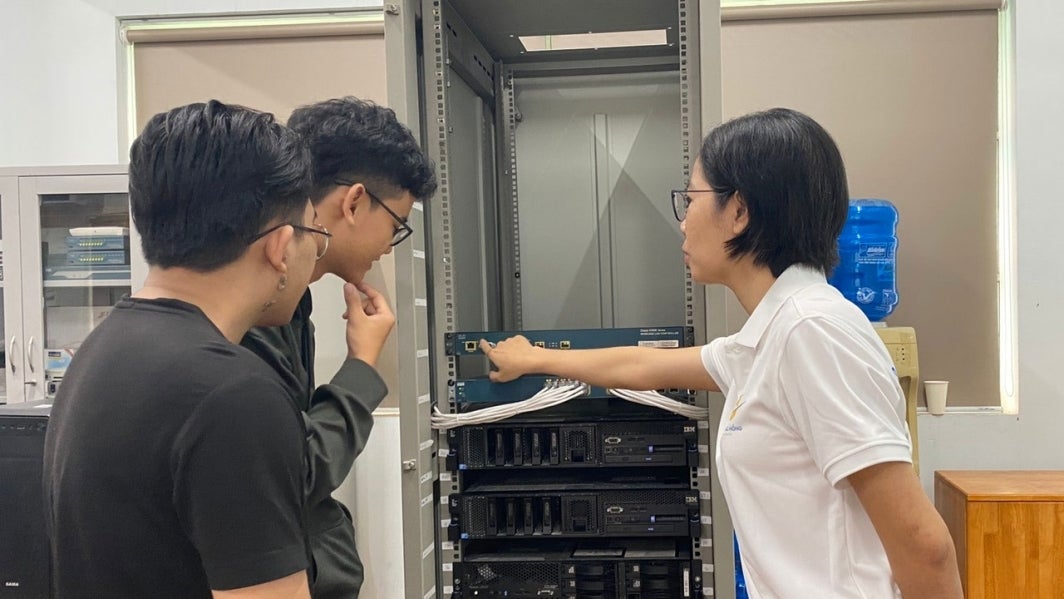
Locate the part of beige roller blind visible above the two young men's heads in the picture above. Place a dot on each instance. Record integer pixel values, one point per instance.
(274, 70)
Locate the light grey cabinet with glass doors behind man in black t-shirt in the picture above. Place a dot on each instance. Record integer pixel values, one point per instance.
(68, 258)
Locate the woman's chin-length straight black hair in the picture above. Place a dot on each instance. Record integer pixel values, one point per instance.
(791, 176)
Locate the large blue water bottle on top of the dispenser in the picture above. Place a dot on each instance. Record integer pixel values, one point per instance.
(867, 258)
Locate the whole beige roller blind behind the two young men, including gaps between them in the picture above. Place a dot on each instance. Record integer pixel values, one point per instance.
(274, 69)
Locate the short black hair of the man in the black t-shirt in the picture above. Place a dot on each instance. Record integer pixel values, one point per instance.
(206, 178)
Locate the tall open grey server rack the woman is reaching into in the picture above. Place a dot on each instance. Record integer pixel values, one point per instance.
(497, 121)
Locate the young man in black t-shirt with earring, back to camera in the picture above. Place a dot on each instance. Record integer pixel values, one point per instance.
(175, 458)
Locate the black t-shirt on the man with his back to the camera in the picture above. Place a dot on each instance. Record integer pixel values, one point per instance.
(173, 462)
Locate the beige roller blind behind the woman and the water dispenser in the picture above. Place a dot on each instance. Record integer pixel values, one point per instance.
(911, 99)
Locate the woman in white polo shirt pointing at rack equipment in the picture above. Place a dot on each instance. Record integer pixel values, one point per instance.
(813, 453)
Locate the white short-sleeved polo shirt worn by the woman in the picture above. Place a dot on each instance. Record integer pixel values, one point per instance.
(812, 397)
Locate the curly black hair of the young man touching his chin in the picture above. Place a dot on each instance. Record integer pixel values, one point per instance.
(353, 140)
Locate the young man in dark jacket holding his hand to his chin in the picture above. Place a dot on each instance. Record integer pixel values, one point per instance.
(369, 172)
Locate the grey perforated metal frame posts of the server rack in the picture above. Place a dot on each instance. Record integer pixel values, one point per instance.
(428, 45)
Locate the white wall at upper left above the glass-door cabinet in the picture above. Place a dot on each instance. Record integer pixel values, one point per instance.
(60, 62)
